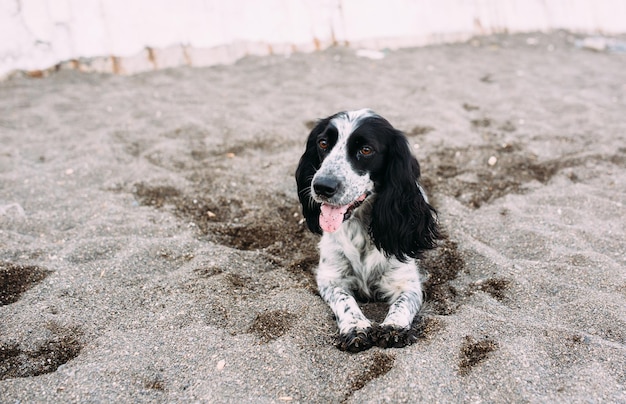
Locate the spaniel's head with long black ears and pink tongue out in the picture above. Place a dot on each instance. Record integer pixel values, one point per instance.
(355, 155)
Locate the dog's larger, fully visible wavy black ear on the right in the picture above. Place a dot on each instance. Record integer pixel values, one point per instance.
(403, 223)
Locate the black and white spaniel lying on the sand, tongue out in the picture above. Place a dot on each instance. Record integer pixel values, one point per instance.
(358, 186)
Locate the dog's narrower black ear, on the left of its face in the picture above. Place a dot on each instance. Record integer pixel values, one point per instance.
(309, 164)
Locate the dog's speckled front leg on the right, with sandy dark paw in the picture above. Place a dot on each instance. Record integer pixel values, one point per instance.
(403, 288)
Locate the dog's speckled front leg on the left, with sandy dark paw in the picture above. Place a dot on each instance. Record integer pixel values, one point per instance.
(354, 328)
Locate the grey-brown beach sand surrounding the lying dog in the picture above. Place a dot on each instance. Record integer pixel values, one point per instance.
(152, 247)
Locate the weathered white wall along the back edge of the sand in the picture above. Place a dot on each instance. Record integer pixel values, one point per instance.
(114, 35)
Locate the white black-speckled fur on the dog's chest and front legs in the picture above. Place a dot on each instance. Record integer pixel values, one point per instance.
(349, 262)
